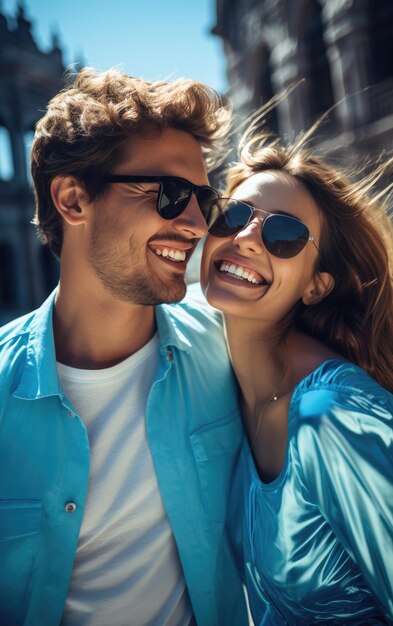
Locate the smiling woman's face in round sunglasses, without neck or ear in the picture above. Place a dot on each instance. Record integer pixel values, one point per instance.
(268, 287)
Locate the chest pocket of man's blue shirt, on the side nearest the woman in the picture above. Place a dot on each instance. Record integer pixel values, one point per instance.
(216, 447)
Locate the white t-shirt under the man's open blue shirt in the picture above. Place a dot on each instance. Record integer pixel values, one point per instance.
(127, 570)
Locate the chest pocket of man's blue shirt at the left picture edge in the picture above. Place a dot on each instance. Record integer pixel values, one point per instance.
(20, 522)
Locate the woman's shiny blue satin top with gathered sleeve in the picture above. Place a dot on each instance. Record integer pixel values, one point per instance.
(316, 544)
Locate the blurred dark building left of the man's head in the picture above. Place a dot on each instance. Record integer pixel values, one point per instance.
(28, 79)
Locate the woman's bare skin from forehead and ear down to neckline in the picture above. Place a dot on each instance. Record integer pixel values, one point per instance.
(269, 355)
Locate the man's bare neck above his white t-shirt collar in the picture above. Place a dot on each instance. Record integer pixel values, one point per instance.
(95, 333)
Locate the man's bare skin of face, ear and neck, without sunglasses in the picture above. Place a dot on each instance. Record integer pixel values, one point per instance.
(111, 275)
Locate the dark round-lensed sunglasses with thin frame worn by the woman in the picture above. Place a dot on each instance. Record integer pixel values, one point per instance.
(283, 236)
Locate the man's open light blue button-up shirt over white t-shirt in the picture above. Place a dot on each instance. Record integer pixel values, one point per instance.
(194, 431)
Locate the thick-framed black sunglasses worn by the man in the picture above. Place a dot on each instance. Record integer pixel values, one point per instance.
(174, 194)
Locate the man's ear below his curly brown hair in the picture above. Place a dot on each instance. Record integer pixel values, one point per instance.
(70, 199)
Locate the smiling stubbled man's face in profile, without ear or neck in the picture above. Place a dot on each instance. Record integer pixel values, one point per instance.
(138, 256)
